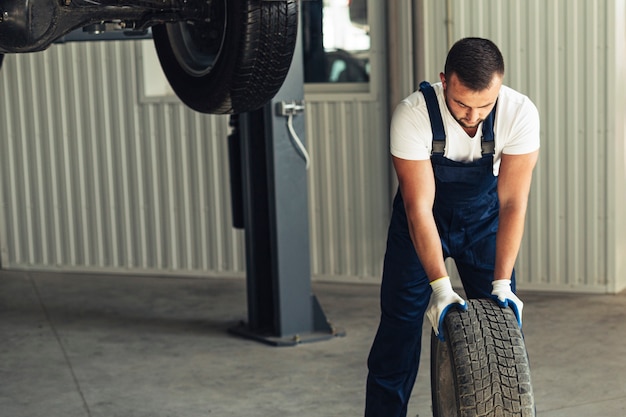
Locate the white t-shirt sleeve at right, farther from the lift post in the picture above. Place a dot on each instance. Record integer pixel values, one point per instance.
(524, 135)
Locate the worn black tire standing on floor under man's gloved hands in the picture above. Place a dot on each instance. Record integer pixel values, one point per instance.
(482, 368)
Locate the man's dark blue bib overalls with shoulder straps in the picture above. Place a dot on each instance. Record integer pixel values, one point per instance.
(466, 214)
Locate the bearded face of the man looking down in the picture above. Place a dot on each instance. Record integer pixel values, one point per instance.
(469, 107)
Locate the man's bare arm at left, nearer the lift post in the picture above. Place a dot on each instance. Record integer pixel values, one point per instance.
(417, 185)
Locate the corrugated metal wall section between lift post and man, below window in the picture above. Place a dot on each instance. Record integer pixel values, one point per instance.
(349, 189)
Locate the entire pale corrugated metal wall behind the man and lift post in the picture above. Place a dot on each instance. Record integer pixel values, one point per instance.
(97, 176)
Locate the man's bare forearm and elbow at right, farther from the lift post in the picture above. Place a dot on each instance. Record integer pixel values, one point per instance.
(513, 188)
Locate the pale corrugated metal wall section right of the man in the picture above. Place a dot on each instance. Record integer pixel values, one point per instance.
(560, 53)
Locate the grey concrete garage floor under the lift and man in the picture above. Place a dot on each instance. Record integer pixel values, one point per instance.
(127, 346)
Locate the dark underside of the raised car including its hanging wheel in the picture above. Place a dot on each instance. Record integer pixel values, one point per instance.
(220, 56)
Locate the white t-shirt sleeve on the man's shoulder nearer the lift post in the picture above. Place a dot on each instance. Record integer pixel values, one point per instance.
(410, 133)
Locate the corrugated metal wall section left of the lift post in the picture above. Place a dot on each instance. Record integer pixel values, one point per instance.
(94, 179)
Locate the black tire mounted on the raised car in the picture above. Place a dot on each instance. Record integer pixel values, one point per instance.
(234, 63)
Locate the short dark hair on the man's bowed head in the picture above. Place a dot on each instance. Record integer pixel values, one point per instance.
(475, 61)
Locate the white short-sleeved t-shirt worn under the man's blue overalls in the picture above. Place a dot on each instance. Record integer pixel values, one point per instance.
(516, 129)
